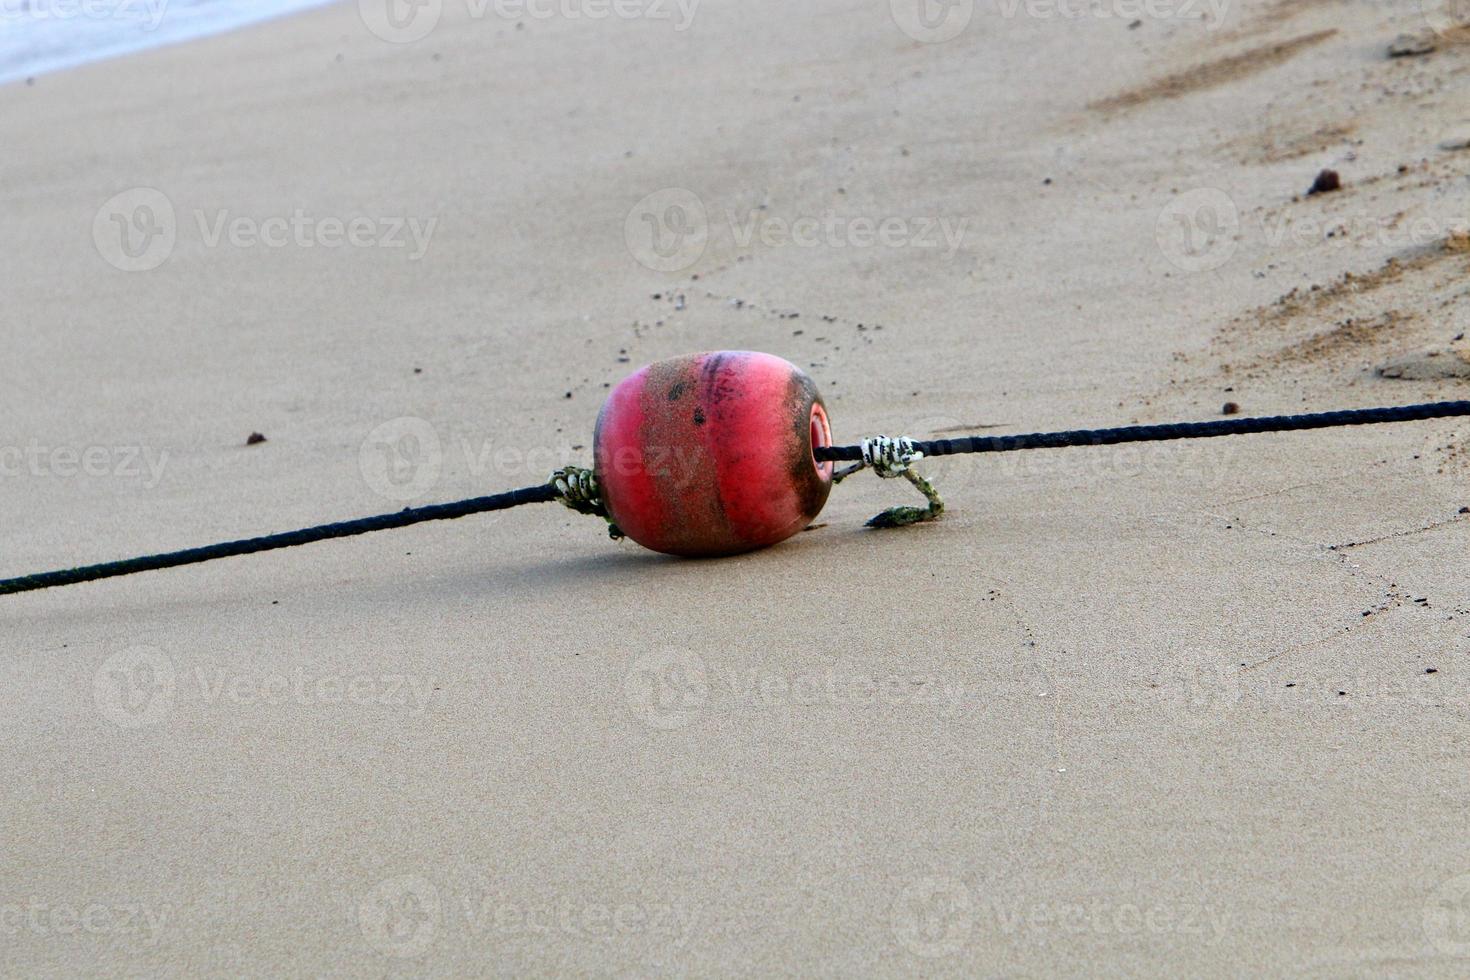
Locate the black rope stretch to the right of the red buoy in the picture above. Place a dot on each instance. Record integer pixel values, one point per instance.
(1165, 433)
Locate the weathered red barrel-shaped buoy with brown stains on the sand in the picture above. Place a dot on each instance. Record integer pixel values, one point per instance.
(711, 455)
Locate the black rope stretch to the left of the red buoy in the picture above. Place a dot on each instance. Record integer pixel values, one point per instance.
(287, 540)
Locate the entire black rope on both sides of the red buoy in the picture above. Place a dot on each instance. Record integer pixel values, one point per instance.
(548, 493)
